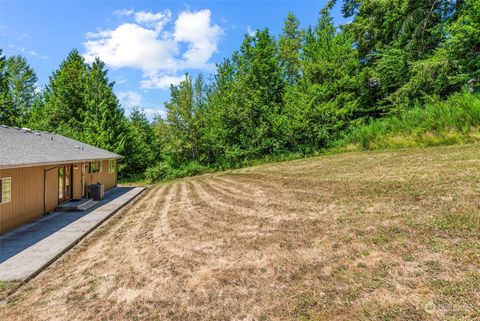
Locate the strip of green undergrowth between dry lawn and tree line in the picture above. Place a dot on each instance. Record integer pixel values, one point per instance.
(453, 121)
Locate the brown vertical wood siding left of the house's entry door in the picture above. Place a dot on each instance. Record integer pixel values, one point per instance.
(27, 201)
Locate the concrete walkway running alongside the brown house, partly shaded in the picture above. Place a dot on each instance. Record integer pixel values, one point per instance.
(26, 251)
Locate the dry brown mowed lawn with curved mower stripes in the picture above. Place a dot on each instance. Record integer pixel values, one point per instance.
(390, 235)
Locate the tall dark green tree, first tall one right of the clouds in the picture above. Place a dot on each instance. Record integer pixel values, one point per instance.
(257, 97)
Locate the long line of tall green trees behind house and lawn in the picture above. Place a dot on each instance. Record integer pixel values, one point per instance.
(299, 92)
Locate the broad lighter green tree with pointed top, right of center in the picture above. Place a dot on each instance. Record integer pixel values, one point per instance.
(326, 99)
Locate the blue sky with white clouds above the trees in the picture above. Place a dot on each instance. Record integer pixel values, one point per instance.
(146, 45)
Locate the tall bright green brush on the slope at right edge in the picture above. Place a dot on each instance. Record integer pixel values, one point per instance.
(438, 122)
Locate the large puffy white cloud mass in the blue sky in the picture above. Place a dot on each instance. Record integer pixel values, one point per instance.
(147, 44)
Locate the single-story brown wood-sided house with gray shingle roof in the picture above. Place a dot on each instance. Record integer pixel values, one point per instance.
(40, 170)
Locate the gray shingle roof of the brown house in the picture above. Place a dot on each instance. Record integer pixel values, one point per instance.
(20, 148)
